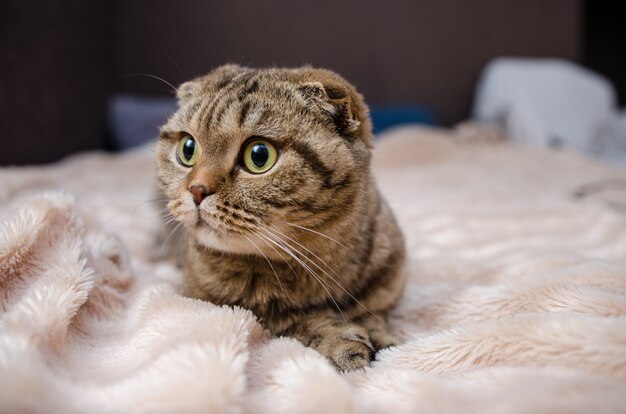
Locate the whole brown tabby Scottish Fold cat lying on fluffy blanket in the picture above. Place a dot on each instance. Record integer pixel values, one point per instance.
(269, 172)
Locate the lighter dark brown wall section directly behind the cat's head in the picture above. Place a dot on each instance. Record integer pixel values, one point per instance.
(428, 52)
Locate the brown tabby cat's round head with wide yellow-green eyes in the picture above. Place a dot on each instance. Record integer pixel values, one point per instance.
(255, 156)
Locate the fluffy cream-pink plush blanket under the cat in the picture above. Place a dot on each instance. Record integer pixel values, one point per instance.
(515, 302)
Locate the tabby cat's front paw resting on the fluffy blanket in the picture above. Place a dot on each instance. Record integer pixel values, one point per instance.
(349, 350)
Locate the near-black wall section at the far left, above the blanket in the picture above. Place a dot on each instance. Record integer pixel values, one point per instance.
(56, 73)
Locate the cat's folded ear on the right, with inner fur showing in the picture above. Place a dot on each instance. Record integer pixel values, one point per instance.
(332, 94)
